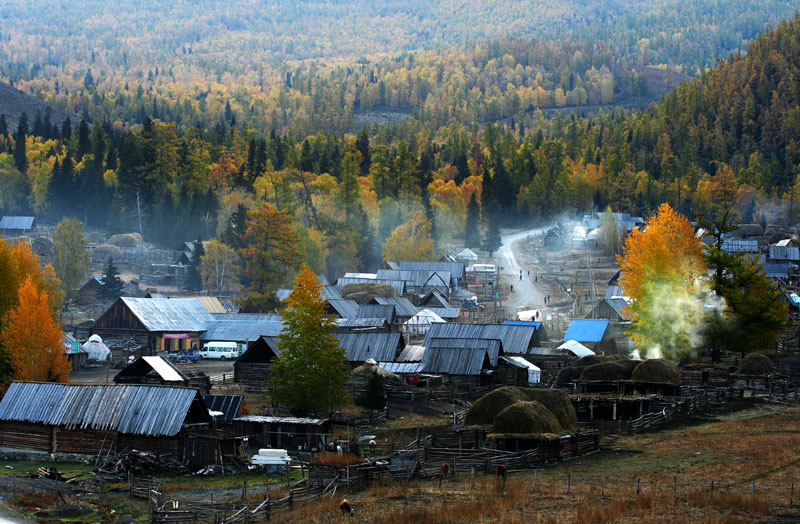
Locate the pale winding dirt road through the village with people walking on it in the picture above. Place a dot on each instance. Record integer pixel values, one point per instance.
(525, 294)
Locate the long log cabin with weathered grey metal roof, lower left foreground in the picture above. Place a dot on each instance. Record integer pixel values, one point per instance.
(88, 419)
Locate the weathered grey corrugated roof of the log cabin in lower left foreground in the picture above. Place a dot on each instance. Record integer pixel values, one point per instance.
(137, 409)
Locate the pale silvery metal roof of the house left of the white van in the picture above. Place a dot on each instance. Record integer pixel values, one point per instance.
(164, 314)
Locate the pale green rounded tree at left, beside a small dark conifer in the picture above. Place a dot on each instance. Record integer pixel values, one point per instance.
(73, 259)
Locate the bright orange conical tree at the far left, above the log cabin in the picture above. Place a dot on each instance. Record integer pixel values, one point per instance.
(33, 339)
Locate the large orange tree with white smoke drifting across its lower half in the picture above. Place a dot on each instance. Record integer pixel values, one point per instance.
(662, 268)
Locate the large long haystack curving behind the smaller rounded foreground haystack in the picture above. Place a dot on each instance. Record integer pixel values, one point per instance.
(486, 409)
